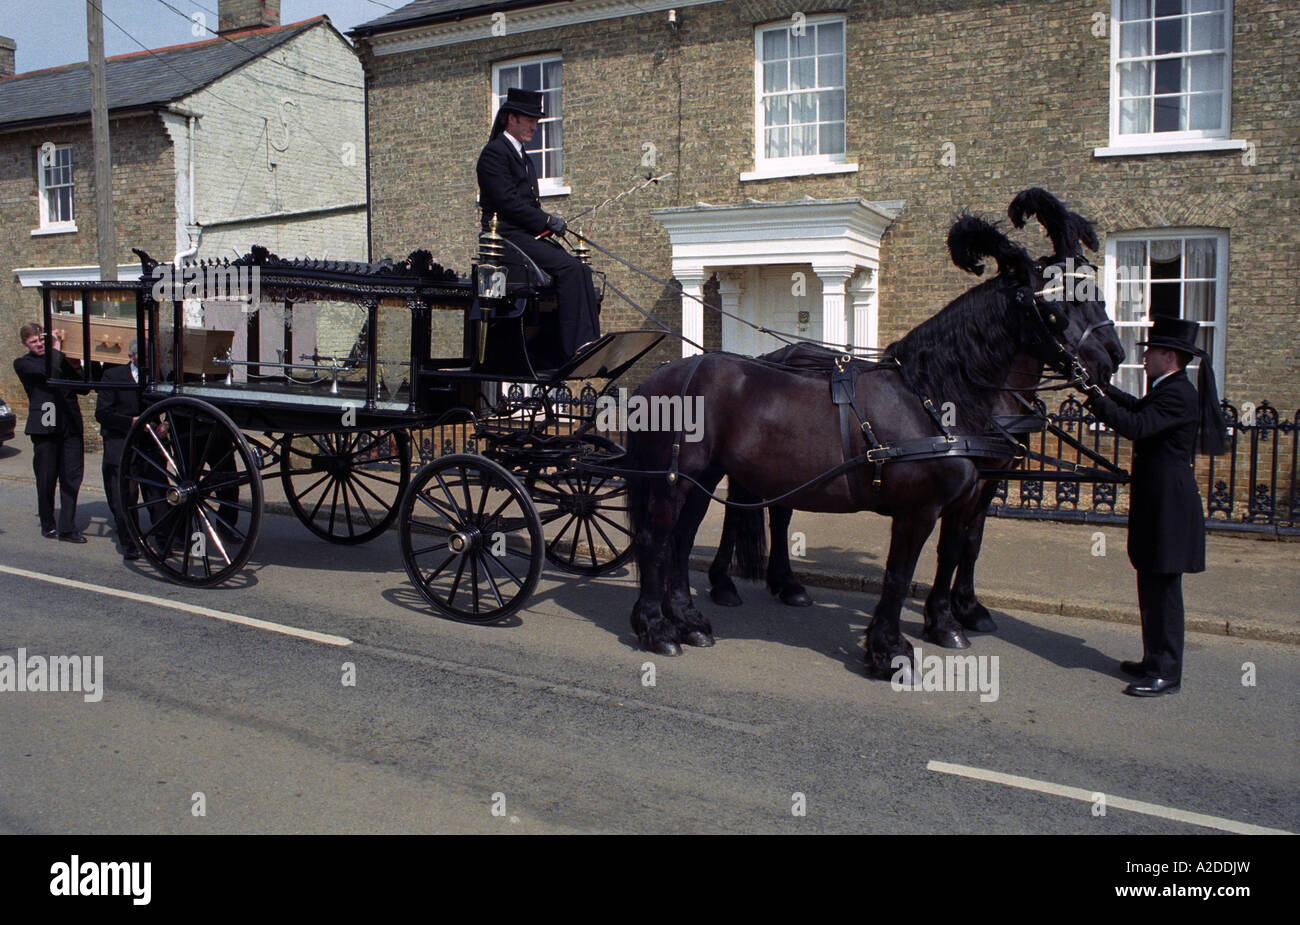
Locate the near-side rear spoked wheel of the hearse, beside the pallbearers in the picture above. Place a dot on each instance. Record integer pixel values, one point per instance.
(192, 492)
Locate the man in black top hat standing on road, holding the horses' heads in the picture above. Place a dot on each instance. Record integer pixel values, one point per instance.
(1167, 522)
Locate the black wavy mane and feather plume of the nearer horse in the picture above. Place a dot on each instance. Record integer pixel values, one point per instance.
(972, 341)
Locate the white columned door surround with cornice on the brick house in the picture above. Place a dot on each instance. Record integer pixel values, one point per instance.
(838, 238)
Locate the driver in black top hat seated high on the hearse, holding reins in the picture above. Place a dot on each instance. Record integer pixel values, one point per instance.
(508, 188)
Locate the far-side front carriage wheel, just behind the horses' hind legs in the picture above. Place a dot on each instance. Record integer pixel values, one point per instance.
(584, 515)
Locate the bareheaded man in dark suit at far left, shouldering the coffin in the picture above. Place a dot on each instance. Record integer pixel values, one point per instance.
(55, 427)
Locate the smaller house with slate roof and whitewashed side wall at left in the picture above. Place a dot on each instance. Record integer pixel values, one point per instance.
(255, 136)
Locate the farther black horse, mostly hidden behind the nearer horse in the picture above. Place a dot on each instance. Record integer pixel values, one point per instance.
(743, 531)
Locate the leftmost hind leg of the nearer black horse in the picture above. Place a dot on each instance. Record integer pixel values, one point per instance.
(655, 515)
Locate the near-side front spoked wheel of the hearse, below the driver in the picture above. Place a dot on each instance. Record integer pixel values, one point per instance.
(471, 539)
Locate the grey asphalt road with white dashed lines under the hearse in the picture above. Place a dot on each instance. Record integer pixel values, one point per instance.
(545, 724)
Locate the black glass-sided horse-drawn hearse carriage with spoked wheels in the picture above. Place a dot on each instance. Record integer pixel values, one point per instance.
(320, 371)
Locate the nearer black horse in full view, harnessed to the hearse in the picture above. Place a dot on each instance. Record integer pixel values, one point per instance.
(998, 332)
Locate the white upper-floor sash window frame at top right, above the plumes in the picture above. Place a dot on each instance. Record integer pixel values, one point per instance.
(1169, 142)
